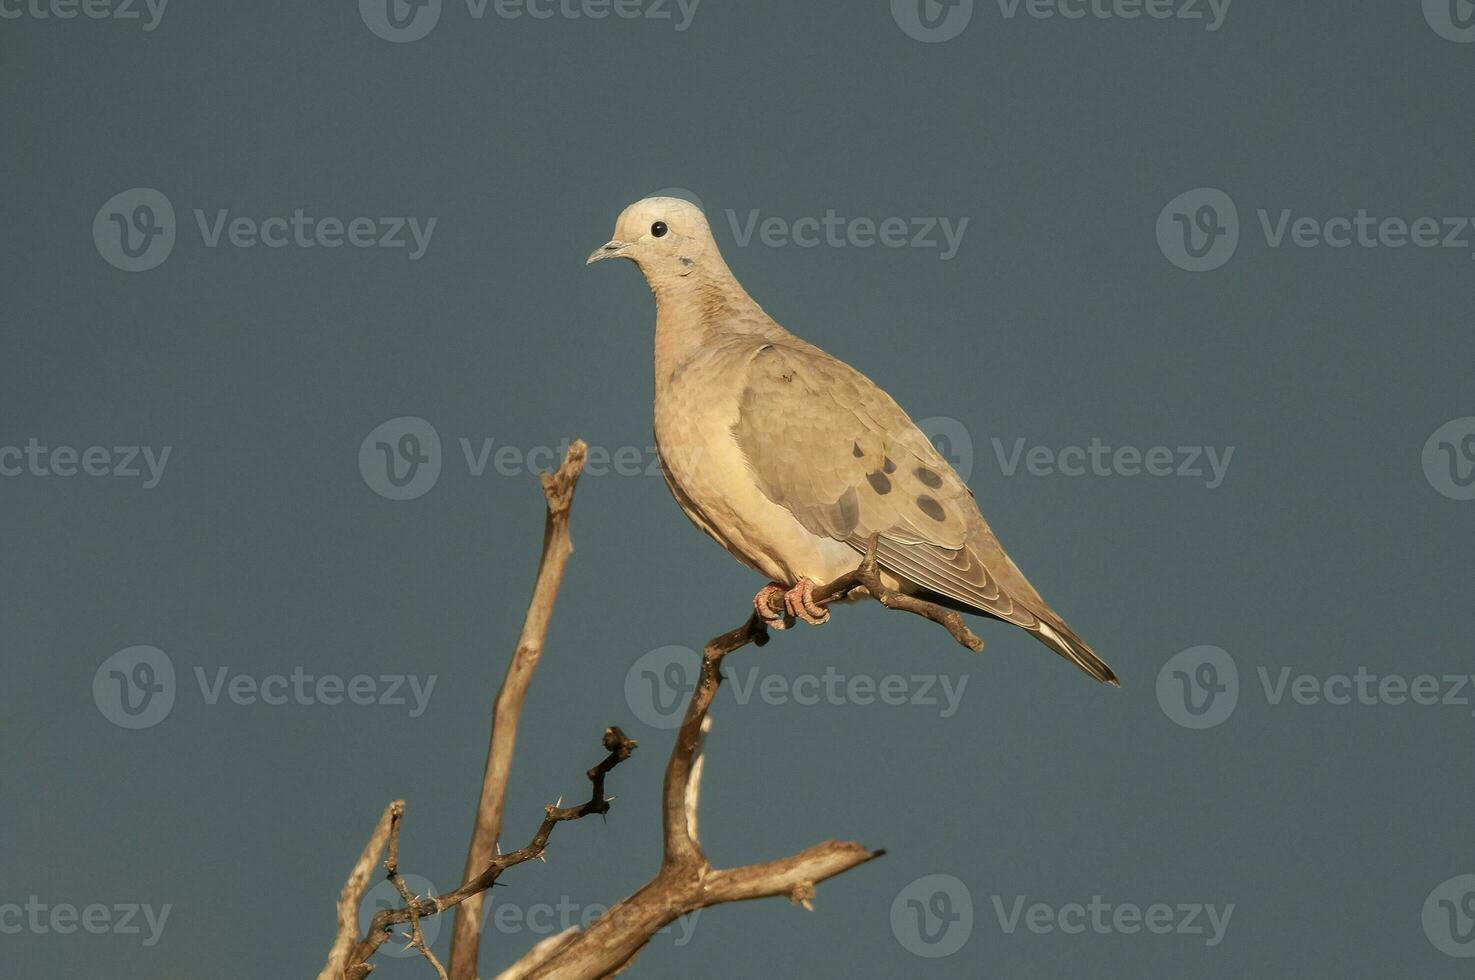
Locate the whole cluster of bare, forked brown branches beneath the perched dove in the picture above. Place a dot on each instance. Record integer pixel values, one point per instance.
(685, 883)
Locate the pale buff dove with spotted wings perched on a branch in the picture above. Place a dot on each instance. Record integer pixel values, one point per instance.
(794, 461)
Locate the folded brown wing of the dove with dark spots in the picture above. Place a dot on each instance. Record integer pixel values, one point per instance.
(828, 445)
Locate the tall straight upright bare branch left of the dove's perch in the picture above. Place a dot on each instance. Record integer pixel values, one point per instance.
(558, 489)
